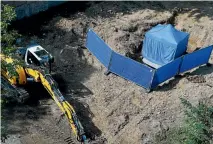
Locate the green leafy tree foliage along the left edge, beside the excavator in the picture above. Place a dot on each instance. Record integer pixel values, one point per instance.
(8, 48)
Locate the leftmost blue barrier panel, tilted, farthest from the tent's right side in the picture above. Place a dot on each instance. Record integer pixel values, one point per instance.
(98, 48)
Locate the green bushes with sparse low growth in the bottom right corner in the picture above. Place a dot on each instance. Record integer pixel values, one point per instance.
(197, 127)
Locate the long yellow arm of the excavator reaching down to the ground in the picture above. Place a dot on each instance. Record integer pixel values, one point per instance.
(51, 86)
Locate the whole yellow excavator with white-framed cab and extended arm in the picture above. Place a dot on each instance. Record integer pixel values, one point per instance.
(37, 60)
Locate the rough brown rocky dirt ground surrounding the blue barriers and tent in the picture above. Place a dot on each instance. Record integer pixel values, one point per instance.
(112, 109)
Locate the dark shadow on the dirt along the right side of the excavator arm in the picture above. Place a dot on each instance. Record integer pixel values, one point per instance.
(82, 109)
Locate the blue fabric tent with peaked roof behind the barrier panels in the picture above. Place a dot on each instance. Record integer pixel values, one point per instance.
(163, 44)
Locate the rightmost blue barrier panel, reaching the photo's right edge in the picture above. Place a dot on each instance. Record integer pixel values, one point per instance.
(195, 59)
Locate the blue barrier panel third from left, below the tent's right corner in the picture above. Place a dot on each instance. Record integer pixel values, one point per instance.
(166, 72)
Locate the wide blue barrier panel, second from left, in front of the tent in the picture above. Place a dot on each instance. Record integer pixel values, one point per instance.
(131, 70)
